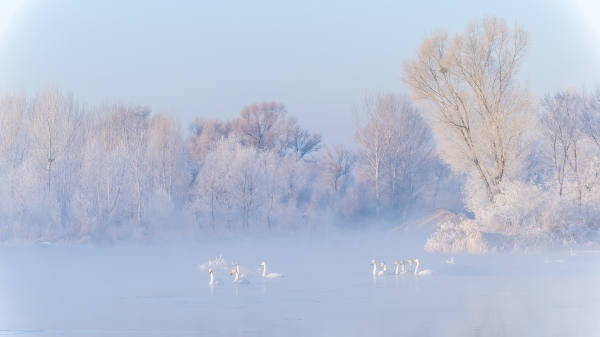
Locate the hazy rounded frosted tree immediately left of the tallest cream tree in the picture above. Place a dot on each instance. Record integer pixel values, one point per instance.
(395, 143)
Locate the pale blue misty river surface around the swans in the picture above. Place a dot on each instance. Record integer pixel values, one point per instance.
(327, 290)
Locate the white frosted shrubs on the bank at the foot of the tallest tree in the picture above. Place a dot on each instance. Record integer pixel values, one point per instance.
(521, 217)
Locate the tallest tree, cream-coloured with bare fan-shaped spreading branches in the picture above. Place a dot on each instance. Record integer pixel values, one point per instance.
(469, 87)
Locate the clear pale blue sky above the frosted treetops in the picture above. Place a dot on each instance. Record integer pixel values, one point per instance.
(211, 58)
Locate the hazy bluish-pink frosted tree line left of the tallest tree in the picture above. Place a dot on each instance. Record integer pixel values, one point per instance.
(70, 172)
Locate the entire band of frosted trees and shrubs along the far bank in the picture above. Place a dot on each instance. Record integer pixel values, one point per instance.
(470, 137)
